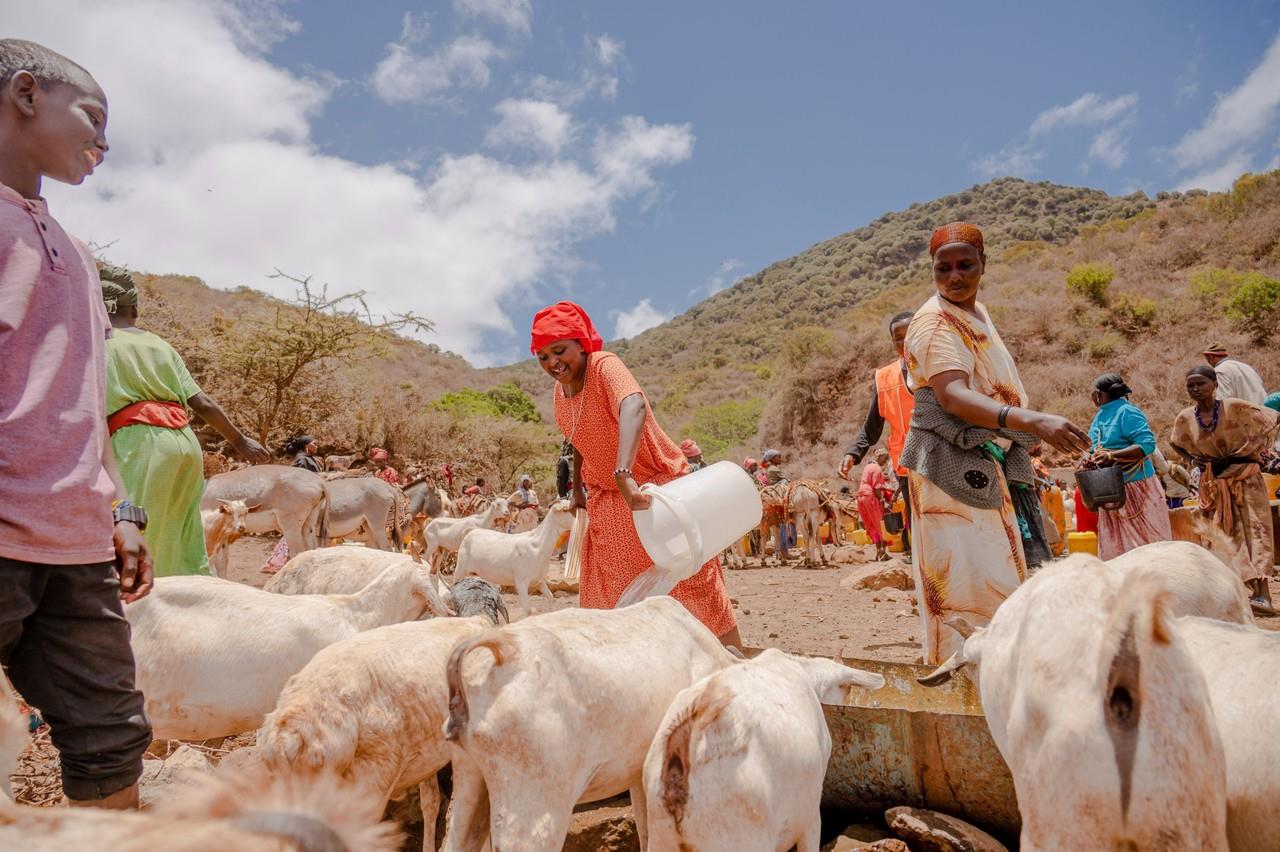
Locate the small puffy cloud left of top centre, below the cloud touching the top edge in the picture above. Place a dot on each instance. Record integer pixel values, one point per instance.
(405, 76)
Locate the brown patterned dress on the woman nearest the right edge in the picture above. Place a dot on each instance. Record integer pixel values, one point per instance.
(1236, 500)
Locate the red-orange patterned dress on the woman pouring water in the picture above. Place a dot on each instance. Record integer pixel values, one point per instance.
(612, 555)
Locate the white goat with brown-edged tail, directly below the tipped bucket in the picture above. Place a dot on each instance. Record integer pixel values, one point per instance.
(561, 712)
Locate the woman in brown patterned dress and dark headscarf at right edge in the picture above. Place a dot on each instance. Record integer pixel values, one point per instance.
(1227, 438)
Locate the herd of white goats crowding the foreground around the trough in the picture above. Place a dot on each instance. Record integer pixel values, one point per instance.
(1135, 702)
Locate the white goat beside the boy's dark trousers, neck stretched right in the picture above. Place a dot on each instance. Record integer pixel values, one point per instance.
(213, 656)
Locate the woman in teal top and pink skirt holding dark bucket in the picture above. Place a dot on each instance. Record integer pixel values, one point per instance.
(1122, 434)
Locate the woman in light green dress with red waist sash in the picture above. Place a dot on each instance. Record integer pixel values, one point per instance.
(149, 393)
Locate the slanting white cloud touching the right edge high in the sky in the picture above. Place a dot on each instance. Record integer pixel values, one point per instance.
(1240, 118)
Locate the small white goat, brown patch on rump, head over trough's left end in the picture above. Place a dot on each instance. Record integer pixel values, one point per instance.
(740, 757)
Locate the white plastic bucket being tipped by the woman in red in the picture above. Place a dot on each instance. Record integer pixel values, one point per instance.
(692, 521)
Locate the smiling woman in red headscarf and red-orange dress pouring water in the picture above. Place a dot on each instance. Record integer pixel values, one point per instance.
(619, 447)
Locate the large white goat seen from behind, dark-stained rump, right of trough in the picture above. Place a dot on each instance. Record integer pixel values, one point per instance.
(1101, 713)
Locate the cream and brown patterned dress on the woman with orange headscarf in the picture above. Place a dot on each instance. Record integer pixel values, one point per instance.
(968, 561)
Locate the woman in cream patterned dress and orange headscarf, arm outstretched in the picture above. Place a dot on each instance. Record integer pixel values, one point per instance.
(968, 558)
